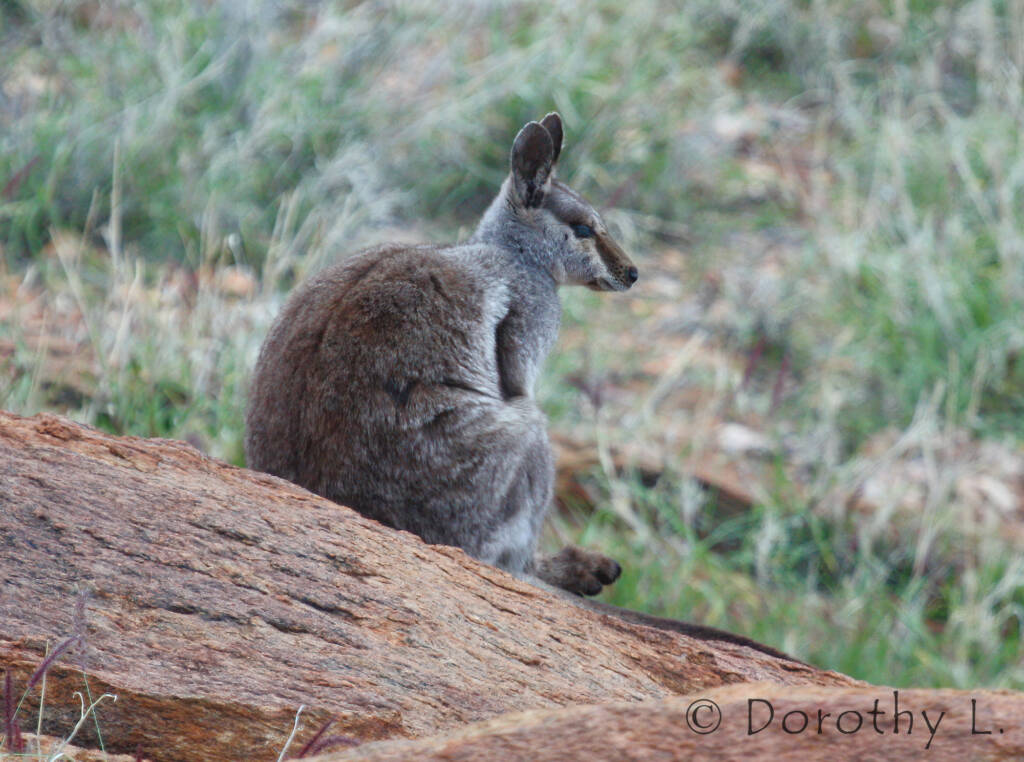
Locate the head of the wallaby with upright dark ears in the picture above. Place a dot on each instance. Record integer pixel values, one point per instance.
(550, 223)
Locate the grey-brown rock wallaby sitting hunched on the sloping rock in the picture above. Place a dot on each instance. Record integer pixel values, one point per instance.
(401, 382)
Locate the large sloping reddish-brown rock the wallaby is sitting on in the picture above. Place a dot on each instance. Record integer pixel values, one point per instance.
(216, 602)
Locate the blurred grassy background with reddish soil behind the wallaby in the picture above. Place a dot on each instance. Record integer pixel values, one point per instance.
(803, 425)
